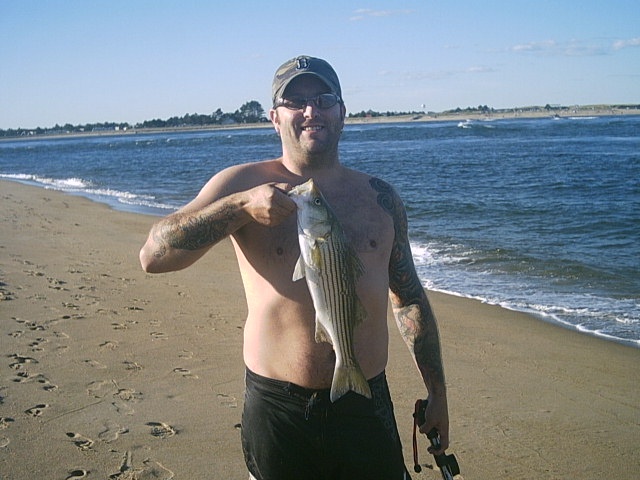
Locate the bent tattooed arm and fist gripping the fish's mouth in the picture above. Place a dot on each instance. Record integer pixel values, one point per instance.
(178, 240)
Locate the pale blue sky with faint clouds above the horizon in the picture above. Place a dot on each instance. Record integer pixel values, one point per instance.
(72, 61)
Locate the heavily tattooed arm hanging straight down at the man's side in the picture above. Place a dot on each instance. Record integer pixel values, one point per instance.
(414, 316)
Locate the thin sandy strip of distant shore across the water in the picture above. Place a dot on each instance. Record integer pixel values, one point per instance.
(503, 114)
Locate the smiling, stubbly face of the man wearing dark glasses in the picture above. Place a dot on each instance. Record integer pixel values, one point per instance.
(309, 130)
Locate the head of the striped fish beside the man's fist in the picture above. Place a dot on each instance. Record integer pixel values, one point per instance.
(315, 217)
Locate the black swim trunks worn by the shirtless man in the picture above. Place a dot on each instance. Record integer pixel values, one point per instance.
(293, 433)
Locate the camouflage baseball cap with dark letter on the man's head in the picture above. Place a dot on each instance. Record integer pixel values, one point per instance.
(304, 65)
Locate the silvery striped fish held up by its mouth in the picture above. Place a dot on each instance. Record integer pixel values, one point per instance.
(331, 268)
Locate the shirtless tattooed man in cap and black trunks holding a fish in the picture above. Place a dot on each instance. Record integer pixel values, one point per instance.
(290, 428)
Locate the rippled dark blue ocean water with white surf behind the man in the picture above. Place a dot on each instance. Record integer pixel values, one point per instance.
(536, 215)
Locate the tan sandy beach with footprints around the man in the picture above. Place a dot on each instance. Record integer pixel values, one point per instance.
(108, 372)
